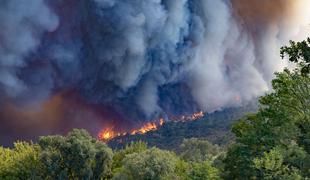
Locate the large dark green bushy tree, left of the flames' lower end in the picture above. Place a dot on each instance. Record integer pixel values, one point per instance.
(76, 156)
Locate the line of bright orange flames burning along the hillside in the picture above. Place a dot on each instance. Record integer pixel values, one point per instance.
(108, 133)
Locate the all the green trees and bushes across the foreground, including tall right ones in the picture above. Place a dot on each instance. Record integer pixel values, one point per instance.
(273, 143)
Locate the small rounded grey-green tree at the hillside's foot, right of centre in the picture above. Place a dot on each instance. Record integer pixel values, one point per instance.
(198, 150)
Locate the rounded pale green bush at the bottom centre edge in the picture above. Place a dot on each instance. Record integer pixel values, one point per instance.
(152, 164)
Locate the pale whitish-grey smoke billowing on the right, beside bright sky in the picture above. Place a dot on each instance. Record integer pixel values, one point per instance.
(232, 65)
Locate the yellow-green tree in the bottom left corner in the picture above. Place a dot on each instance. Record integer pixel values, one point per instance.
(22, 162)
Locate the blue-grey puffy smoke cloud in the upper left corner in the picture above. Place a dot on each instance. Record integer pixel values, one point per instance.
(21, 27)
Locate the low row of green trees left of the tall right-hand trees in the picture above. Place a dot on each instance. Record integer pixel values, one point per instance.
(79, 156)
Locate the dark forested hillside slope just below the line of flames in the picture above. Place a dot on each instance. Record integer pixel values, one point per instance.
(215, 127)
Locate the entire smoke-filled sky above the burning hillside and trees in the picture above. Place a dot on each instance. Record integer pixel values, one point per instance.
(94, 63)
